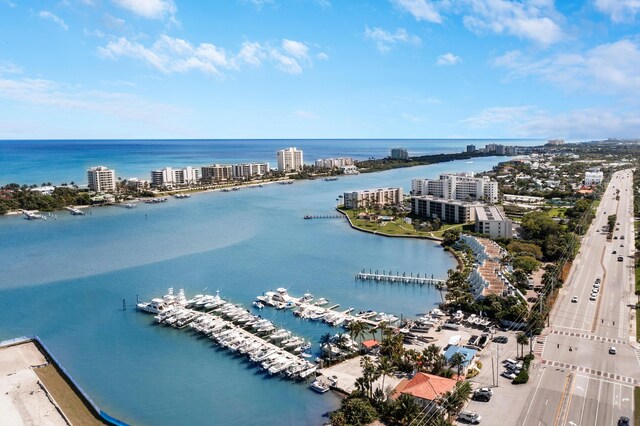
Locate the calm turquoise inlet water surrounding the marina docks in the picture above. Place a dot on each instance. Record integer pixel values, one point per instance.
(65, 280)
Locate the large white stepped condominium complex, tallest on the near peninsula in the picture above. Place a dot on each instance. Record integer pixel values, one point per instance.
(463, 186)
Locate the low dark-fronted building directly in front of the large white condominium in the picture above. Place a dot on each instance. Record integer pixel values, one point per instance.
(449, 211)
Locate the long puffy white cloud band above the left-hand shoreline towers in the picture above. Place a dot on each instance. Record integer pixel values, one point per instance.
(170, 55)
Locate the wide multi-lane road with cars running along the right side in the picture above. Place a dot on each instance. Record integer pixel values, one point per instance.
(576, 381)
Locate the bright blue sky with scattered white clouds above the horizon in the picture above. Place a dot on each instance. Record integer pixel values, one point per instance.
(319, 69)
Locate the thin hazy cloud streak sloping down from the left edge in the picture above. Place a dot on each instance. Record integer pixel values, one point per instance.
(48, 93)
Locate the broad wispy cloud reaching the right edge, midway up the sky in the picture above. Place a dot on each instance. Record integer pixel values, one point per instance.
(607, 68)
